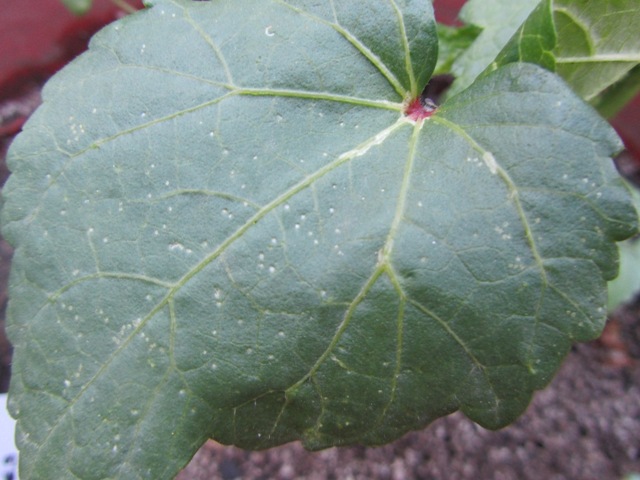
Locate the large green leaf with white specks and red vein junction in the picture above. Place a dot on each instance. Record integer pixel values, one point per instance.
(226, 226)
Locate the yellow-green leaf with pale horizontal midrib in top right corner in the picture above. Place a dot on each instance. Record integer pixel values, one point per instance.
(598, 43)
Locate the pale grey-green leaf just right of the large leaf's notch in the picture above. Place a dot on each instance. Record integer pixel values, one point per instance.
(499, 20)
